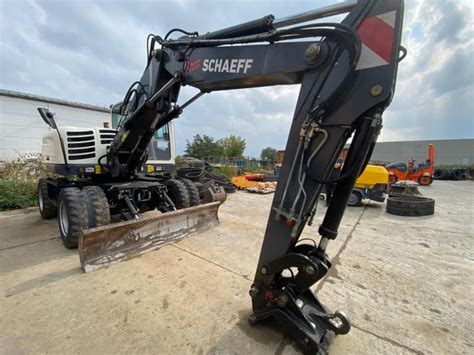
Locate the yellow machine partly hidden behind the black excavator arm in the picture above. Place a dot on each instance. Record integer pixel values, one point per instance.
(372, 185)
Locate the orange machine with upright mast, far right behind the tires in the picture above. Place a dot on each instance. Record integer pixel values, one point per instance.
(421, 173)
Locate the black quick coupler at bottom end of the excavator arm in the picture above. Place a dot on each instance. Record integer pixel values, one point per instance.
(289, 301)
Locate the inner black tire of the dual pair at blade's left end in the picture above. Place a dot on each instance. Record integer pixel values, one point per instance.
(98, 210)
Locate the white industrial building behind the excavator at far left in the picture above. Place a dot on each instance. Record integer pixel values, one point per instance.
(21, 127)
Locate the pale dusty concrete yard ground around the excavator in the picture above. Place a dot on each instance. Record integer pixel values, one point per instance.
(406, 283)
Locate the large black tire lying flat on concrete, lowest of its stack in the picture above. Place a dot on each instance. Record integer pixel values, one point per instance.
(410, 206)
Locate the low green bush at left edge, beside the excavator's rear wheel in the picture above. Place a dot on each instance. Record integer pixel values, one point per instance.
(17, 194)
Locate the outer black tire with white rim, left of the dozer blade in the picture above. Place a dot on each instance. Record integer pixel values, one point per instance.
(76, 210)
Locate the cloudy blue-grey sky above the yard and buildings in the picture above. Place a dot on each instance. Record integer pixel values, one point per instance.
(91, 51)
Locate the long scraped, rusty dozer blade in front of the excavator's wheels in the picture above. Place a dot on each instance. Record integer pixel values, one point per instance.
(102, 246)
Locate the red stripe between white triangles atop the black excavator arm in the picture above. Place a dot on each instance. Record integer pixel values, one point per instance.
(377, 35)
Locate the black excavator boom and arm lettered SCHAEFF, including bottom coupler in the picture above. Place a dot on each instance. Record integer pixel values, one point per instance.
(347, 72)
